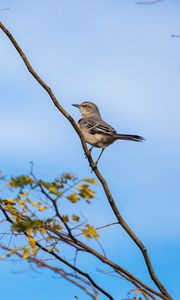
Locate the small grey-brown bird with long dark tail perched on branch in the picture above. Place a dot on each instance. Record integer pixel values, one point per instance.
(96, 131)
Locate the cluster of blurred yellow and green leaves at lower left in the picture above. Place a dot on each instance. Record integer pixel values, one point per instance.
(34, 209)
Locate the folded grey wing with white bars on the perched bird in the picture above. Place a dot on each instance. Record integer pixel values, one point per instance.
(97, 126)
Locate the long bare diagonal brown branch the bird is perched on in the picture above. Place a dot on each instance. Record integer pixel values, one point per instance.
(91, 162)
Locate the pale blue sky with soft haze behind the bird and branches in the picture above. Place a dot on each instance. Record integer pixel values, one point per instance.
(122, 57)
